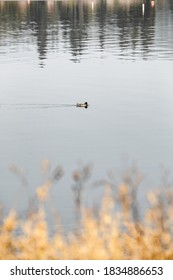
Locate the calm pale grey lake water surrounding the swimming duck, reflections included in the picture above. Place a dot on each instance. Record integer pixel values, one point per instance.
(116, 55)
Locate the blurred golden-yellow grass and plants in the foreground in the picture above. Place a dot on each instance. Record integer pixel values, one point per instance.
(115, 232)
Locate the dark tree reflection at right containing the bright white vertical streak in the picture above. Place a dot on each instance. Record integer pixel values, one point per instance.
(136, 25)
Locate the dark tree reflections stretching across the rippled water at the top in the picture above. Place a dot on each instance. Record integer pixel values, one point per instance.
(82, 27)
